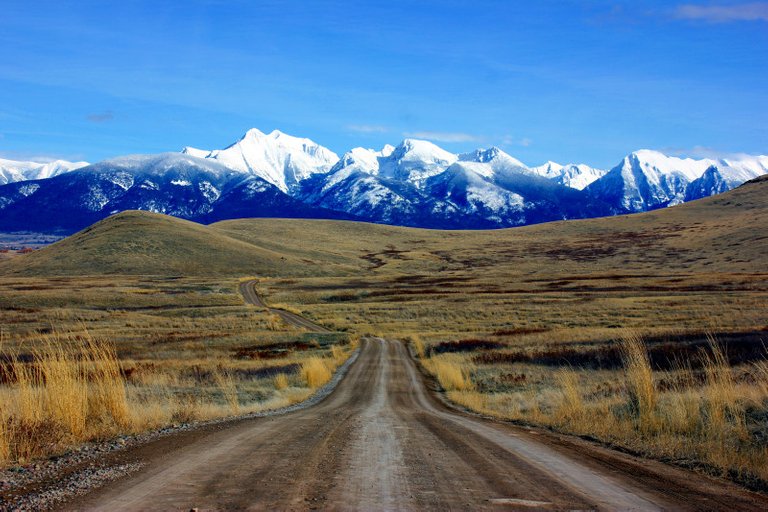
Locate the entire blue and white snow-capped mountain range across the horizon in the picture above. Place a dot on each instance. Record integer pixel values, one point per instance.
(415, 183)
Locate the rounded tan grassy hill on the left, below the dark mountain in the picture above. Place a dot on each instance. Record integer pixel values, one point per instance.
(142, 243)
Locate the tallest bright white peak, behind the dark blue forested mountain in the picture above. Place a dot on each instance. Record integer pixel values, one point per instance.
(277, 158)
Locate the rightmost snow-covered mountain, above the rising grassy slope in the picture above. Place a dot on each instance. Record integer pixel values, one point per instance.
(646, 179)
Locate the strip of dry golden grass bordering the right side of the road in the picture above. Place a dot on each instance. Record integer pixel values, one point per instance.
(710, 418)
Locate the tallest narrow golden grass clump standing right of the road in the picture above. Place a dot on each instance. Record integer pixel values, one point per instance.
(640, 382)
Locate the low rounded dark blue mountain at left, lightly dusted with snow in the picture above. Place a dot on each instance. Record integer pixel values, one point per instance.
(176, 184)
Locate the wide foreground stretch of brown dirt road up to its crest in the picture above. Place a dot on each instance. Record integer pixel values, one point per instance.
(382, 441)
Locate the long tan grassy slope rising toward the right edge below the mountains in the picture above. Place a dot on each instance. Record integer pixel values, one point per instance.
(726, 232)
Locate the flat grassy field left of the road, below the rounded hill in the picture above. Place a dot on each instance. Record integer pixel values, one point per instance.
(85, 359)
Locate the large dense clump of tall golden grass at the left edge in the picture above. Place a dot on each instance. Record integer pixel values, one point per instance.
(68, 391)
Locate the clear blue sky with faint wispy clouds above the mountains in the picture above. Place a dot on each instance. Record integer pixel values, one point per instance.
(585, 81)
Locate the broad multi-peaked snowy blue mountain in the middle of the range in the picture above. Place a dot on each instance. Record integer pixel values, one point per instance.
(420, 184)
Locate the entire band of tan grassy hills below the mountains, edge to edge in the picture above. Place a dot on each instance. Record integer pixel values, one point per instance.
(722, 233)
